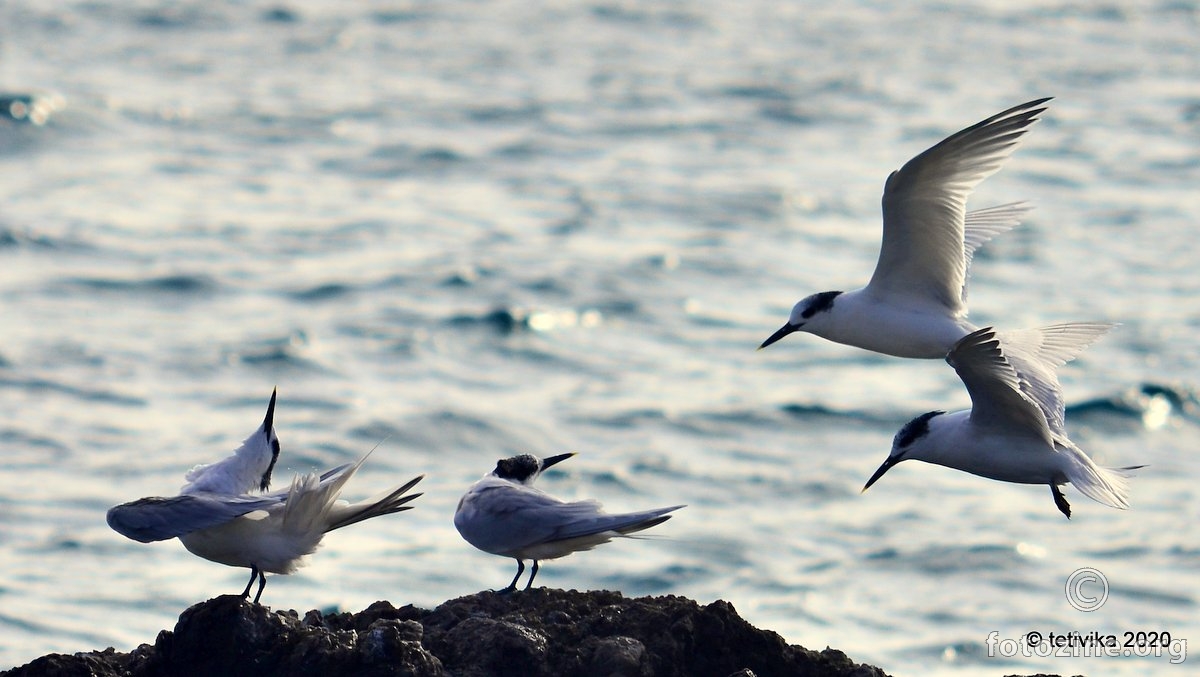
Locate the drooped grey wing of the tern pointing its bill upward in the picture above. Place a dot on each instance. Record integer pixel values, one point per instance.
(153, 519)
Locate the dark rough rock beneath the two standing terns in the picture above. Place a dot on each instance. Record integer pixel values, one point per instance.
(536, 633)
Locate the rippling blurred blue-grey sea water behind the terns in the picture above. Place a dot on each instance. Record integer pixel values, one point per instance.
(472, 230)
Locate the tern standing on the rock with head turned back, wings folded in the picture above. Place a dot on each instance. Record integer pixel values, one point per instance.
(506, 516)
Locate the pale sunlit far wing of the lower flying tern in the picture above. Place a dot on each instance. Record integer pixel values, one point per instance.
(1036, 355)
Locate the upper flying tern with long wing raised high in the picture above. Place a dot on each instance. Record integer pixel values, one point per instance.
(915, 305)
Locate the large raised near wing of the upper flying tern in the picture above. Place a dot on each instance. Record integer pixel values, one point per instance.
(923, 255)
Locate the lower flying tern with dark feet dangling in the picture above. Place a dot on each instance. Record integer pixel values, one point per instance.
(1005, 435)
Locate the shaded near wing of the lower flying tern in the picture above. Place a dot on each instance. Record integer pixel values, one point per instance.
(997, 398)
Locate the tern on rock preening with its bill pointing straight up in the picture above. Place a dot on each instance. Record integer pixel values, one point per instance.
(224, 513)
